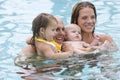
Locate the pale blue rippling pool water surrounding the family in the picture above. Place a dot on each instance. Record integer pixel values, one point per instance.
(15, 25)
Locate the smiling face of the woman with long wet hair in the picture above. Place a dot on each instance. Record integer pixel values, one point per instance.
(86, 20)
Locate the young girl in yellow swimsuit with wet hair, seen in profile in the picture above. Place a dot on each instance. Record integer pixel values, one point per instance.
(44, 28)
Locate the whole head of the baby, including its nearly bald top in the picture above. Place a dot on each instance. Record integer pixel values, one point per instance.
(73, 32)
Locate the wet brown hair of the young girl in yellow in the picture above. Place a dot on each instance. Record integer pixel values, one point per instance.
(41, 21)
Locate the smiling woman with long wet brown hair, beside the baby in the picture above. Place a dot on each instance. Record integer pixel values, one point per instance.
(84, 14)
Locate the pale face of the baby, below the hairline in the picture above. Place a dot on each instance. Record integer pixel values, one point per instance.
(73, 34)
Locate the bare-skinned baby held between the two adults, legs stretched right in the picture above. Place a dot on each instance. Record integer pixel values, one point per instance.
(73, 38)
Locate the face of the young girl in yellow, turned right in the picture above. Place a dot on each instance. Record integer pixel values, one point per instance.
(50, 31)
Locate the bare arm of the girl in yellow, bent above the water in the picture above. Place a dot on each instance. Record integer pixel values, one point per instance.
(48, 52)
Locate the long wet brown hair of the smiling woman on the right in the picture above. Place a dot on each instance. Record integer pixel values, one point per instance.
(78, 7)
